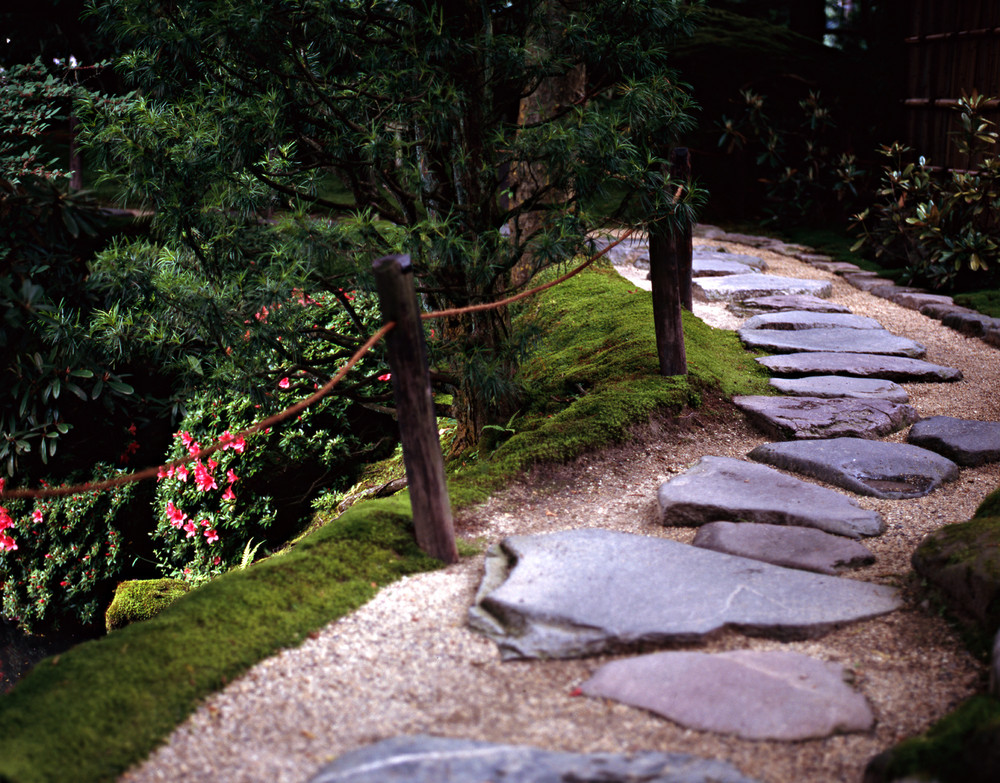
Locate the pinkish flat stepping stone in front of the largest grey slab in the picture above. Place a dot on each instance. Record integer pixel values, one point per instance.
(757, 695)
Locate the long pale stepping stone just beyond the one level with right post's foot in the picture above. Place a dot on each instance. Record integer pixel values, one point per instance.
(834, 339)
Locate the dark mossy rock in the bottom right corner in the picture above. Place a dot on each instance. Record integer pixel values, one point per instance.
(962, 747)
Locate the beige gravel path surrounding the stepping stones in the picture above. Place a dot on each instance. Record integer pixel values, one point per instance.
(406, 663)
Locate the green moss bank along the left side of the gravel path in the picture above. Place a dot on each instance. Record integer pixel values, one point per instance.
(90, 713)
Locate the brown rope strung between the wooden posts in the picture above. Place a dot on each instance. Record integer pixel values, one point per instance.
(301, 405)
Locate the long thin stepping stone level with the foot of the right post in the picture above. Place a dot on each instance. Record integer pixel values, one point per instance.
(859, 365)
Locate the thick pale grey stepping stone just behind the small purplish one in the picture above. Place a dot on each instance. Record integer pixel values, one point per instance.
(734, 490)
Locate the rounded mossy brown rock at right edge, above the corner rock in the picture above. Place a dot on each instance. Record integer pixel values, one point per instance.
(963, 560)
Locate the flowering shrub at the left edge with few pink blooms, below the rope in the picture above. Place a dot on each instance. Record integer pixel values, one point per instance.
(56, 553)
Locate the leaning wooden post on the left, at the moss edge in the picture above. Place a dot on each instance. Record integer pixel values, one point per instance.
(418, 431)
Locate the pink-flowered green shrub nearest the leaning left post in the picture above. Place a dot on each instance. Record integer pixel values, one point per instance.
(212, 510)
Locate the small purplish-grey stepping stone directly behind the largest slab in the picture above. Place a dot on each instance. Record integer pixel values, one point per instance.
(803, 548)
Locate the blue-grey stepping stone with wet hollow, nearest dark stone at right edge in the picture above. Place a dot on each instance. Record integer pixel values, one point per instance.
(891, 471)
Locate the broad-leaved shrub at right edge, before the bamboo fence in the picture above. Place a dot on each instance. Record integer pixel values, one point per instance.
(942, 228)
